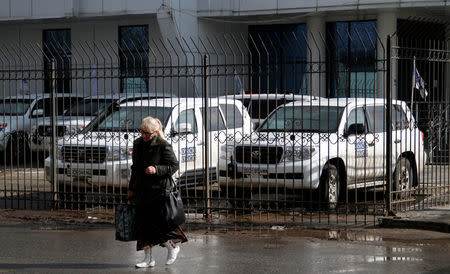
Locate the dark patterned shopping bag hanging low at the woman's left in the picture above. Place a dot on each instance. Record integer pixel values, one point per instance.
(125, 223)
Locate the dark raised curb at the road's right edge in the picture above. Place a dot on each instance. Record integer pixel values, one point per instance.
(395, 222)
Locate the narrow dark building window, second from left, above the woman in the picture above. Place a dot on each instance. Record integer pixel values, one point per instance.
(134, 62)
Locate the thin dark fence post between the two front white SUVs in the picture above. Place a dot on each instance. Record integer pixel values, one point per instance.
(206, 135)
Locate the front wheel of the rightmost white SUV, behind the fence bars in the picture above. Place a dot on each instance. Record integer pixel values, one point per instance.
(329, 187)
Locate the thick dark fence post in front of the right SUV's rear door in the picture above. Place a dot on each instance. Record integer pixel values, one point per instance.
(388, 127)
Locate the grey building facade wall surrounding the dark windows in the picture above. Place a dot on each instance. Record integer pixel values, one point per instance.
(181, 32)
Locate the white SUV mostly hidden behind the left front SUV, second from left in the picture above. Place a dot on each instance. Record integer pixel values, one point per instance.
(75, 119)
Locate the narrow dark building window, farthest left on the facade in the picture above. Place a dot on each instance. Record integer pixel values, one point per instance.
(57, 59)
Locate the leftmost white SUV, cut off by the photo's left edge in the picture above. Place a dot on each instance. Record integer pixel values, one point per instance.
(19, 114)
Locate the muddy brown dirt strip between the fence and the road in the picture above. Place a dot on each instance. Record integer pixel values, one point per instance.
(67, 219)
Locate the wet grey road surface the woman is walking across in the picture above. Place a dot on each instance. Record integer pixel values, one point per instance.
(47, 248)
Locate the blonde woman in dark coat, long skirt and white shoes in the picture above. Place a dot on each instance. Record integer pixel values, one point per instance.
(153, 165)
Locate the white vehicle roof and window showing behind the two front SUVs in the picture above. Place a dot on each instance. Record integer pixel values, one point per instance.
(260, 105)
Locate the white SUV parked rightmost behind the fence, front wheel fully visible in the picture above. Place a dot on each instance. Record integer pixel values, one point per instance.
(328, 144)
